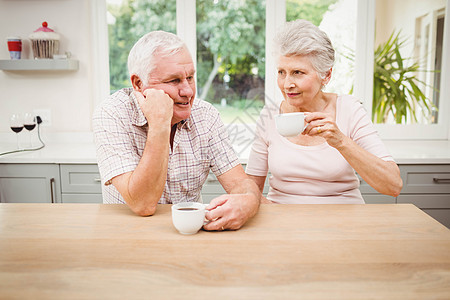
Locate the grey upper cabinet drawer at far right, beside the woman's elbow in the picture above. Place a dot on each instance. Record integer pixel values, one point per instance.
(426, 179)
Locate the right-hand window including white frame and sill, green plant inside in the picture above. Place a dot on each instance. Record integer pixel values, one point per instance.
(421, 33)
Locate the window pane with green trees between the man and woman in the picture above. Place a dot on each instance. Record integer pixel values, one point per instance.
(231, 56)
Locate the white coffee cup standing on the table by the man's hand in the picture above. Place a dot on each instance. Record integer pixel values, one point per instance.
(188, 217)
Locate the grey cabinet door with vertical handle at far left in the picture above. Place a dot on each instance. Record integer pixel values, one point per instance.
(30, 183)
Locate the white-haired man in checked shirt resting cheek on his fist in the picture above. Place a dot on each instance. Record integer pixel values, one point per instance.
(156, 142)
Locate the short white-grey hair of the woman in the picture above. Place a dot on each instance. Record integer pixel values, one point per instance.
(301, 37)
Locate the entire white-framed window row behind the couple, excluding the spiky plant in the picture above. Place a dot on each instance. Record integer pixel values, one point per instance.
(351, 25)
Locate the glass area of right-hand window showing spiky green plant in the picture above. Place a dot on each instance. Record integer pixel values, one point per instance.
(409, 54)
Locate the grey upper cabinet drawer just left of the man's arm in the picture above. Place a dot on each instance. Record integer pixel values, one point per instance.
(80, 179)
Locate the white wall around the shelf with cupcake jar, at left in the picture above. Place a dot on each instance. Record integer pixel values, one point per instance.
(69, 95)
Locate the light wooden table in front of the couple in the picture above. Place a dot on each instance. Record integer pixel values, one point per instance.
(97, 251)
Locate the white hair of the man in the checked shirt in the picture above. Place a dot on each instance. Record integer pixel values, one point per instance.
(141, 56)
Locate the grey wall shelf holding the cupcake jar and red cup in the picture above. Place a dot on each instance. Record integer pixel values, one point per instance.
(38, 64)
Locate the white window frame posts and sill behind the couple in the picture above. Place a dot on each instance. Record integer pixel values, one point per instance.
(275, 17)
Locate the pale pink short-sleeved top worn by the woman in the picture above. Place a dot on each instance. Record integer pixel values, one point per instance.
(313, 174)
